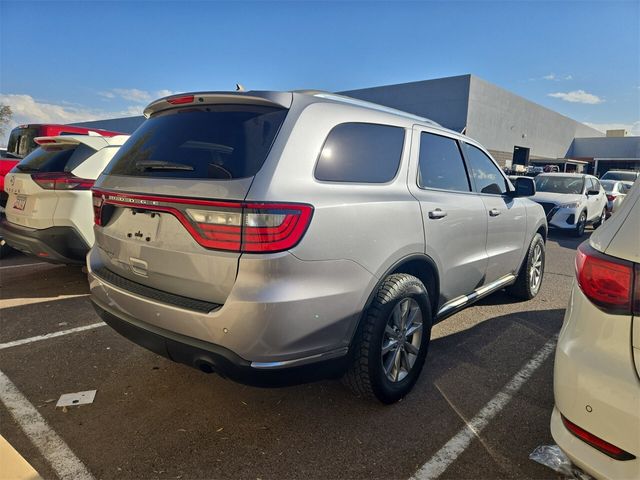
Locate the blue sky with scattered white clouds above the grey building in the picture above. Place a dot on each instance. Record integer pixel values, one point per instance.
(72, 61)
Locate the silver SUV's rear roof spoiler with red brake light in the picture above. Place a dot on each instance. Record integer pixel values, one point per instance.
(271, 99)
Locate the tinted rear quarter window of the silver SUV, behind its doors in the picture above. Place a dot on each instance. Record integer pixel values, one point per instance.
(360, 152)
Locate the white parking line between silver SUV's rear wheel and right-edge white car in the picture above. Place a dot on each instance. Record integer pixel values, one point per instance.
(461, 441)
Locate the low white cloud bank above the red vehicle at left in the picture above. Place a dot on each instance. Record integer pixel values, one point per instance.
(26, 109)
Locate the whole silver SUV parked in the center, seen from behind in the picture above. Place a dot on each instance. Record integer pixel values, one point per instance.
(277, 238)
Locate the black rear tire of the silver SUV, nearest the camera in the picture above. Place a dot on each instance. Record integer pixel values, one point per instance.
(366, 376)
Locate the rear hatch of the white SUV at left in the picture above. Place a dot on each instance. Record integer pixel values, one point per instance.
(36, 183)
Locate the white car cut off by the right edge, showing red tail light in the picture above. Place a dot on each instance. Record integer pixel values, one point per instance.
(596, 419)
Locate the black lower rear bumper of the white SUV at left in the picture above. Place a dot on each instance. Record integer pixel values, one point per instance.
(54, 244)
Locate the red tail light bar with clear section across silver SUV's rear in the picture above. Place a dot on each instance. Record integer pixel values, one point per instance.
(231, 226)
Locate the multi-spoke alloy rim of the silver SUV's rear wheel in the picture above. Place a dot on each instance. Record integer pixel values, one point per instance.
(402, 339)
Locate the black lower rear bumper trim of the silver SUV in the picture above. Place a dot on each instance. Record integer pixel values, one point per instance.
(211, 358)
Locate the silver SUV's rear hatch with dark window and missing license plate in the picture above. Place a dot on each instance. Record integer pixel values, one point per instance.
(170, 204)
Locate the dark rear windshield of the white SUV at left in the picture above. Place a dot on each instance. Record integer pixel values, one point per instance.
(55, 158)
